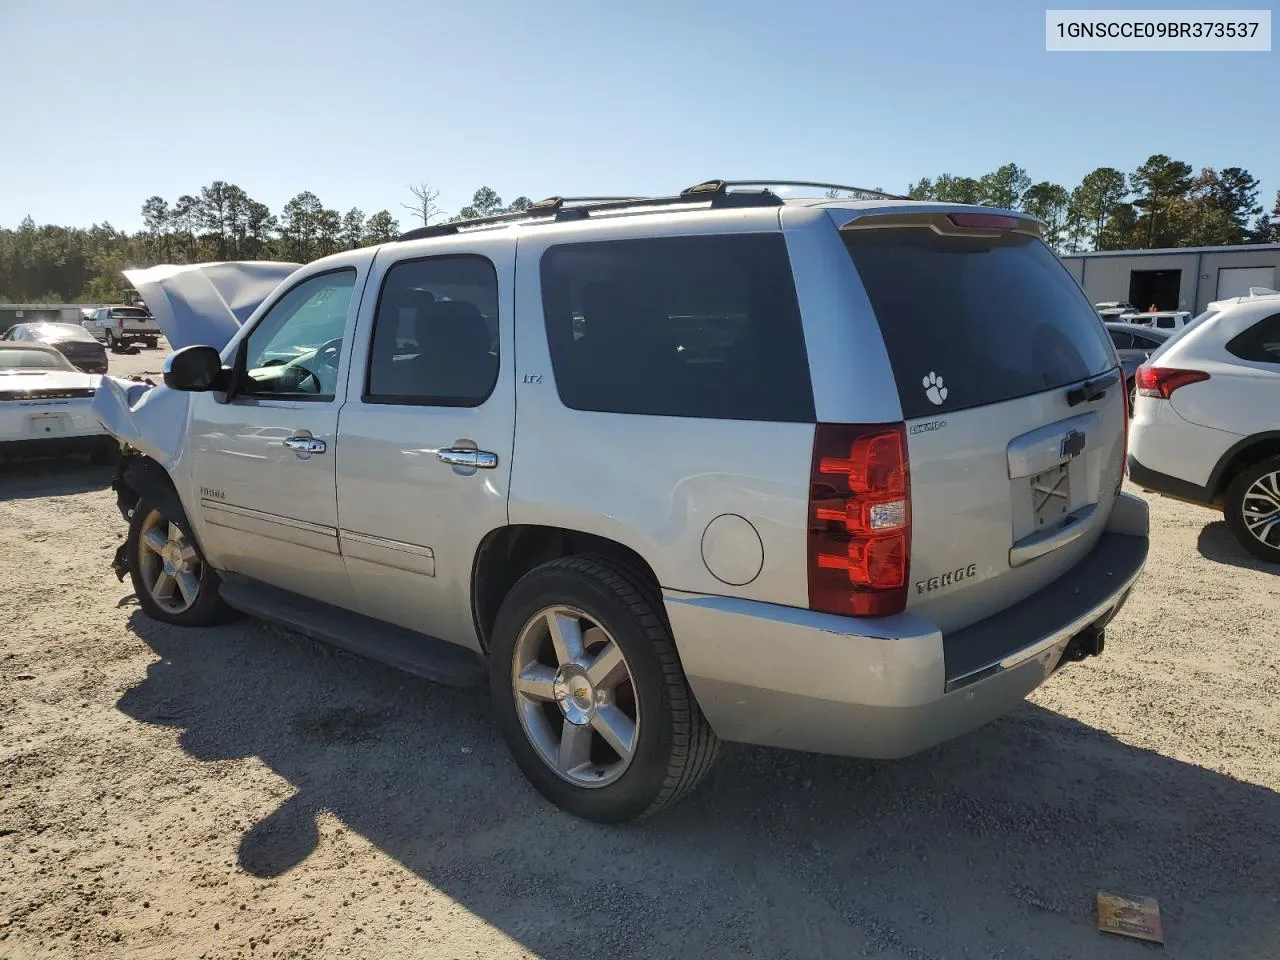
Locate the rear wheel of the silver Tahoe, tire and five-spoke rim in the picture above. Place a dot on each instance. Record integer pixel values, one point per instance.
(591, 694)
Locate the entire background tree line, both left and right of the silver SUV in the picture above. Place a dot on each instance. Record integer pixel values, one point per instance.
(1162, 204)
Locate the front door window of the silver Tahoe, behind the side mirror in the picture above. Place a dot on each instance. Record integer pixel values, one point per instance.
(296, 348)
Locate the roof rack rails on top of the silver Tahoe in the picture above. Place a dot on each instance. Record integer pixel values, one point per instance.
(716, 194)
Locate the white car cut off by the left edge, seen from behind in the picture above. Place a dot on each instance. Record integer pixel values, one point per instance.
(47, 406)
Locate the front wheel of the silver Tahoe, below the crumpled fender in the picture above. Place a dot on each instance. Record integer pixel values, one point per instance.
(172, 582)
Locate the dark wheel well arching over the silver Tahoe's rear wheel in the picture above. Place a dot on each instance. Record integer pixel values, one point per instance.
(509, 554)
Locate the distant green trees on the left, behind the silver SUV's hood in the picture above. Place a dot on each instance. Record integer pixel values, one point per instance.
(56, 264)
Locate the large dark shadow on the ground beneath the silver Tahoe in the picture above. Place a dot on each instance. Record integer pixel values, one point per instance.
(994, 844)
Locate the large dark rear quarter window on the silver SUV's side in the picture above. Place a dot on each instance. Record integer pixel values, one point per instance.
(691, 327)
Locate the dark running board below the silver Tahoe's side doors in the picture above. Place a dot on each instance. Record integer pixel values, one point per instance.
(404, 650)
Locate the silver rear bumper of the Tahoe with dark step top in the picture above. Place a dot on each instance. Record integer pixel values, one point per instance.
(892, 687)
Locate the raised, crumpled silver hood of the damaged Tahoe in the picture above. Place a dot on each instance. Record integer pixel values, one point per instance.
(207, 303)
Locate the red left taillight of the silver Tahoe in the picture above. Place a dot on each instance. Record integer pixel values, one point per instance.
(860, 520)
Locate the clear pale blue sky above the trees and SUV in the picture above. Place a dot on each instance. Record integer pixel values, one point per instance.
(106, 104)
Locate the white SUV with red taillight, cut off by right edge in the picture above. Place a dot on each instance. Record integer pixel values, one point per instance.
(1206, 423)
